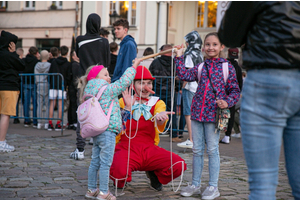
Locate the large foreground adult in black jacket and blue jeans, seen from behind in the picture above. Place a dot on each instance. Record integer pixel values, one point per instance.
(270, 108)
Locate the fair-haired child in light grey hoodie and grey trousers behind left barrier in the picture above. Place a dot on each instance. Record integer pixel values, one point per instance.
(42, 86)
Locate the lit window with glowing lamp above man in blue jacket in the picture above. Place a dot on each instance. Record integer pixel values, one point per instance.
(126, 9)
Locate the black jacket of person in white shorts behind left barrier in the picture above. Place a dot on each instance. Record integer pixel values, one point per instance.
(59, 65)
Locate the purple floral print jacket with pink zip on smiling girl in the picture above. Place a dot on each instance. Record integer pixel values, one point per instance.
(204, 105)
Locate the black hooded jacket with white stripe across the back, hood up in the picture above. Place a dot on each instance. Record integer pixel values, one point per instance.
(90, 48)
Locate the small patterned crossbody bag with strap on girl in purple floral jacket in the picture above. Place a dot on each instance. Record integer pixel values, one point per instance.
(222, 115)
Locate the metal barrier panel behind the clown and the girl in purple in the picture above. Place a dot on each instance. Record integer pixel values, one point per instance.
(162, 86)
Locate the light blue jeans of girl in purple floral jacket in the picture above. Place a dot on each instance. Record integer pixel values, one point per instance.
(204, 132)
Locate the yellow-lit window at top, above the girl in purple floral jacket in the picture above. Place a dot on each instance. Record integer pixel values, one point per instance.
(207, 14)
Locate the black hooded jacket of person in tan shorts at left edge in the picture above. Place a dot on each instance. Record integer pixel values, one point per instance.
(10, 64)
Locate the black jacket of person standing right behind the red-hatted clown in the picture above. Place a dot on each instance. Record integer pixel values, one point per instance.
(161, 66)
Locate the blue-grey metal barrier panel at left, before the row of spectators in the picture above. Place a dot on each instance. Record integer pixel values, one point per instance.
(44, 95)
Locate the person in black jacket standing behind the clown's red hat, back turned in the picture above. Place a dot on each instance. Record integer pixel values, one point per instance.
(161, 66)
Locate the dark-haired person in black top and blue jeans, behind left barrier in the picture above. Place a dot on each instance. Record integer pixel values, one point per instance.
(29, 86)
